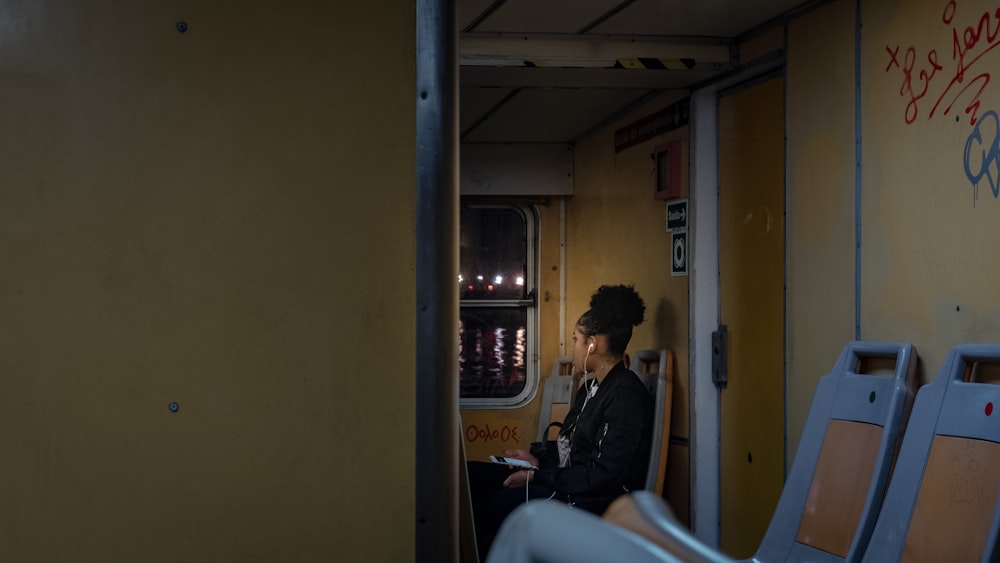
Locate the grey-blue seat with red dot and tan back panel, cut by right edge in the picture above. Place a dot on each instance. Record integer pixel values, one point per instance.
(941, 504)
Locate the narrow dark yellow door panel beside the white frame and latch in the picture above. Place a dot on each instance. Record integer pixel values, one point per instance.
(751, 265)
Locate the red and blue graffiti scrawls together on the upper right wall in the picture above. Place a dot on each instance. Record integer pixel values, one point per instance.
(934, 84)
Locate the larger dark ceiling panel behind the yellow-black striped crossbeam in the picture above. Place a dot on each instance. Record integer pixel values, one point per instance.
(551, 115)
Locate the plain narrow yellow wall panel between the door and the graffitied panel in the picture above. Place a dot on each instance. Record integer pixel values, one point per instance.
(820, 155)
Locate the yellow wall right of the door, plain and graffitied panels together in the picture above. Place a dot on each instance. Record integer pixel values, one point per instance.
(928, 178)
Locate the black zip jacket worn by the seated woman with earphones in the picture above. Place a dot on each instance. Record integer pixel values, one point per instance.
(610, 438)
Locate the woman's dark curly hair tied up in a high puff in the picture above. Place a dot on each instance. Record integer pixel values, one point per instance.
(614, 310)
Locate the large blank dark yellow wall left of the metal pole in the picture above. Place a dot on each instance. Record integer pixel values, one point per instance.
(189, 218)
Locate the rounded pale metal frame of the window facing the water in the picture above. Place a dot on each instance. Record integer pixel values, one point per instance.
(529, 302)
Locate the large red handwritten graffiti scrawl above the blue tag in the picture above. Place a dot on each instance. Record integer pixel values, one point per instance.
(968, 47)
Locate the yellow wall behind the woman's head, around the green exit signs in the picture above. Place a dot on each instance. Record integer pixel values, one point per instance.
(616, 233)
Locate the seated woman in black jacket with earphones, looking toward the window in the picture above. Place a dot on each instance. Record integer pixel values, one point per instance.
(604, 442)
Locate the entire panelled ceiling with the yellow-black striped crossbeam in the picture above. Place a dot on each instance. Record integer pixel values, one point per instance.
(564, 83)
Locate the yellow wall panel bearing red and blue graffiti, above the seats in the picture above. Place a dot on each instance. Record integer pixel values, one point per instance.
(930, 198)
